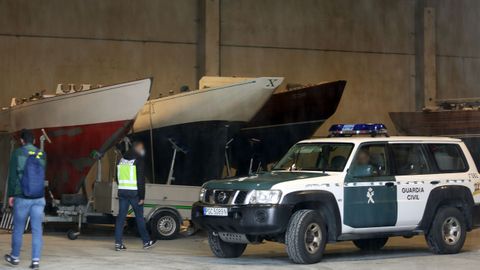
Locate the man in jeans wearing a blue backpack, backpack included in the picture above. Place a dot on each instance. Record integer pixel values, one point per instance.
(26, 192)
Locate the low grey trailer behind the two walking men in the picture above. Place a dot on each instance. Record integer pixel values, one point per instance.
(167, 208)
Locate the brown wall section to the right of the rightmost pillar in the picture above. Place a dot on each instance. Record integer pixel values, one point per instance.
(458, 48)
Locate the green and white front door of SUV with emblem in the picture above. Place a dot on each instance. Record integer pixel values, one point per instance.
(370, 190)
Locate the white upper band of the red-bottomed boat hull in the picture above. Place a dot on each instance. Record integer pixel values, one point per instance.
(107, 104)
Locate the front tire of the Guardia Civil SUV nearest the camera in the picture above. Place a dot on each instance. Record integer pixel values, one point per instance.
(306, 237)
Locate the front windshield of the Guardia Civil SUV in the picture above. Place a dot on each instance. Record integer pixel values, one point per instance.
(316, 157)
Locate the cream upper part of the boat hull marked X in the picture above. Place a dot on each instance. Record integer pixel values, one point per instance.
(233, 103)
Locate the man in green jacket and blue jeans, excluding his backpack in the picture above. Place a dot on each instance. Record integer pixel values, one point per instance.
(25, 207)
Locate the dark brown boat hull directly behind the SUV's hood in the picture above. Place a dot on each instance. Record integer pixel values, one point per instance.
(288, 117)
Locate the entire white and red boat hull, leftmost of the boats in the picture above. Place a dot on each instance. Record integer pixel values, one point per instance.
(78, 125)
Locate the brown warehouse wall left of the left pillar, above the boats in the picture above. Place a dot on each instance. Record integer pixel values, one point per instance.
(43, 43)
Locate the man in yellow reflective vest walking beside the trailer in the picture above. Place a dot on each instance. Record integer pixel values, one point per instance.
(131, 192)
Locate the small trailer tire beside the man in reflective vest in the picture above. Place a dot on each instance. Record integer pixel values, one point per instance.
(165, 225)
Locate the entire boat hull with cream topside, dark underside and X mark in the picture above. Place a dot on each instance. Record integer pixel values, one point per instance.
(202, 122)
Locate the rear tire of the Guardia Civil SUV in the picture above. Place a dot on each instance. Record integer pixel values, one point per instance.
(441, 241)
